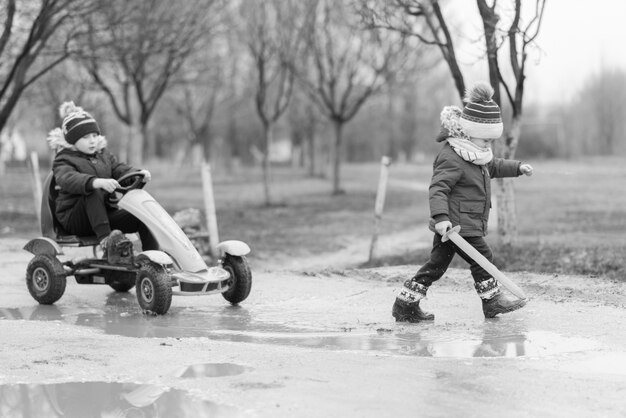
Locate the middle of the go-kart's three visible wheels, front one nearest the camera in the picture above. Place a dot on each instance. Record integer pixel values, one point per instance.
(154, 290)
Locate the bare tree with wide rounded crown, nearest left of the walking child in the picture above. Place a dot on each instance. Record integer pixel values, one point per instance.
(347, 65)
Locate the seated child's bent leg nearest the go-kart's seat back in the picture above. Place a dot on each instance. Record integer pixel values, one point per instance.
(89, 216)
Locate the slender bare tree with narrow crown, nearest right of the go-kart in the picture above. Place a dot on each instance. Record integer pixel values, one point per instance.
(271, 33)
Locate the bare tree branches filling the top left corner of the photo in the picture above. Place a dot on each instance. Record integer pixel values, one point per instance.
(35, 38)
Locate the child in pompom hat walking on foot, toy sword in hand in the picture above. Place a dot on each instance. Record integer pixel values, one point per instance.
(460, 194)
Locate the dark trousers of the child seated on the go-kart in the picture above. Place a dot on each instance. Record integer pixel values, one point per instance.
(92, 216)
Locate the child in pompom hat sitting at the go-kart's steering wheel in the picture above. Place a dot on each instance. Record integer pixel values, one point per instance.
(86, 173)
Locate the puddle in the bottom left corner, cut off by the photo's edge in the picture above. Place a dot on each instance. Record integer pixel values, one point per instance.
(103, 399)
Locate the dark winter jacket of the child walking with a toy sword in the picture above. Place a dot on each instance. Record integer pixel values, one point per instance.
(461, 191)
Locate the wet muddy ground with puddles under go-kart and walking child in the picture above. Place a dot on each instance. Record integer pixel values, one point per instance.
(312, 342)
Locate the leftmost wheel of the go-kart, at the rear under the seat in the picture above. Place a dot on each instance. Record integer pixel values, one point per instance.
(45, 278)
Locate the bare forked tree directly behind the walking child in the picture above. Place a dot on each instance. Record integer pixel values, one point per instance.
(516, 39)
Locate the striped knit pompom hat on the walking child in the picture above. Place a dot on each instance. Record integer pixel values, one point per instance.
(481, 116)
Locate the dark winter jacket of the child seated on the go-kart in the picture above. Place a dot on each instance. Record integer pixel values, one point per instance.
(74, 173)
